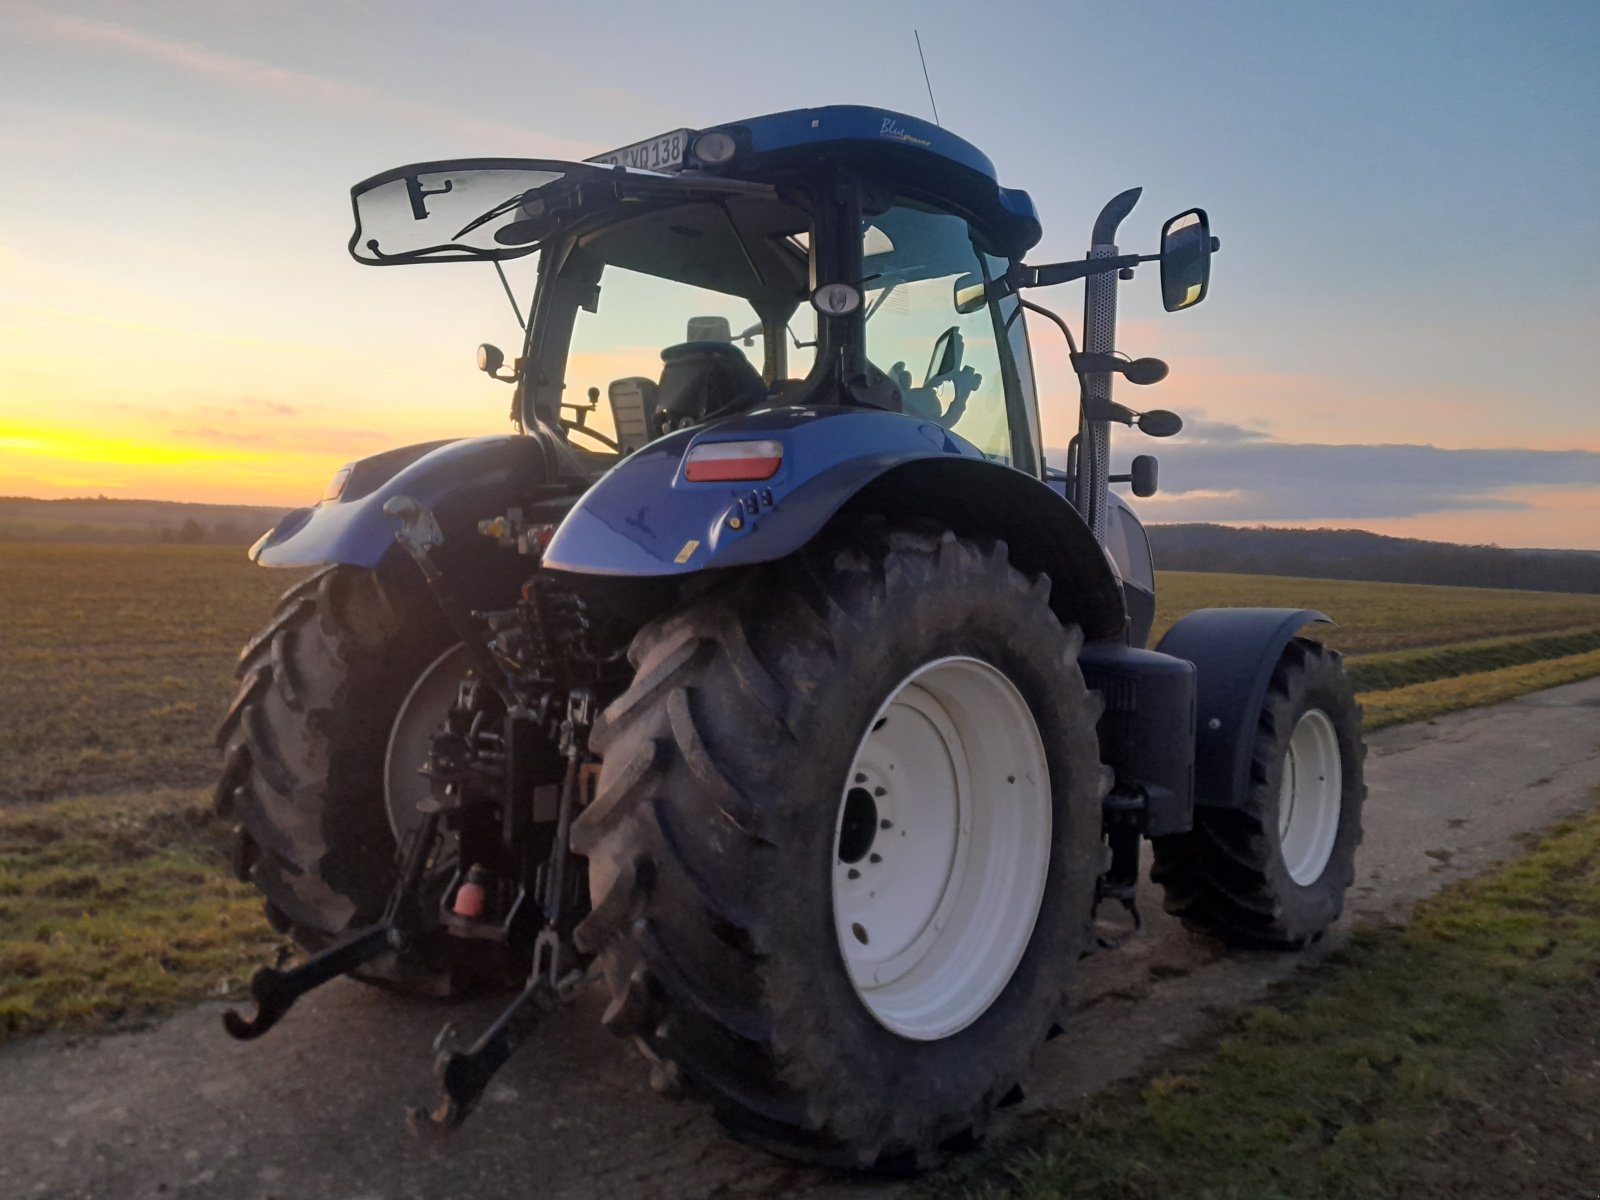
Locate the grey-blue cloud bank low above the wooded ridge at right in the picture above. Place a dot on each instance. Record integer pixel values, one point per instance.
(1236, 479)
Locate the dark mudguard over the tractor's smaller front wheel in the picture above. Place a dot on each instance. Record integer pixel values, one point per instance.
(1234, 652)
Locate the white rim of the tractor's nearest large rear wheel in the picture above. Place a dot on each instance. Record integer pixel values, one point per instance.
(942, 849)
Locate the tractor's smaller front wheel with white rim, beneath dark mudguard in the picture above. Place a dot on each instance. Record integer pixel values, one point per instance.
(1273, 874)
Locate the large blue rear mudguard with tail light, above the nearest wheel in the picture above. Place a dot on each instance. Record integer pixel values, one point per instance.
(646, 519)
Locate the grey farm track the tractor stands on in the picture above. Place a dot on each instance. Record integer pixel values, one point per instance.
(314, 1110)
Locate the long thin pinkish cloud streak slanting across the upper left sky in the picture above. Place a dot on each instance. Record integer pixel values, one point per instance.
(289, 84)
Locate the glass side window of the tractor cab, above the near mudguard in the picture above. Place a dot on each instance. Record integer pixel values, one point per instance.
(946, 366)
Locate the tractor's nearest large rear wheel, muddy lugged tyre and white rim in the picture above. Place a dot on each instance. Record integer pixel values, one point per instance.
(750, 798)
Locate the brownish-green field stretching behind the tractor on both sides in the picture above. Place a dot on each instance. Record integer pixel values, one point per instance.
(116, 662)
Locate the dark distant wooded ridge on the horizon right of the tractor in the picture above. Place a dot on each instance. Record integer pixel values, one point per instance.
(1356, 554)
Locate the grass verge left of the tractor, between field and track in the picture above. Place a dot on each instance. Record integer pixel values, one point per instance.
(114, 908)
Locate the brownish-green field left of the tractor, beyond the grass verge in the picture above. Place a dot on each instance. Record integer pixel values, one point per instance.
(116, 663)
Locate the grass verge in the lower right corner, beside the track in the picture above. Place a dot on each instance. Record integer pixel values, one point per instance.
(1348, 1084)
